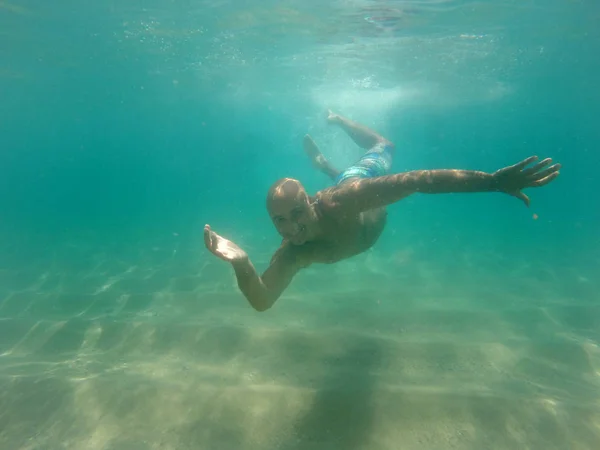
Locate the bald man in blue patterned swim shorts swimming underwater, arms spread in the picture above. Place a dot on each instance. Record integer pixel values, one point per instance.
(348, 218)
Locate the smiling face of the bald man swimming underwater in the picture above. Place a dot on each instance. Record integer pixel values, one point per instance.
(292, 216)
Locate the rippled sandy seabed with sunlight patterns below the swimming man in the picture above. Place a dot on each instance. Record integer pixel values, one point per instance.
(372, 354)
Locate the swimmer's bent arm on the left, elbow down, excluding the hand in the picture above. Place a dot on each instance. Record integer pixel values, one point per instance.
(263, 292)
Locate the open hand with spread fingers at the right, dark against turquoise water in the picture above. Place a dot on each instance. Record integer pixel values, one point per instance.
(511, 180)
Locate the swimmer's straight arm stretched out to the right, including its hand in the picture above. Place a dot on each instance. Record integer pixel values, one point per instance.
(370, 193)
